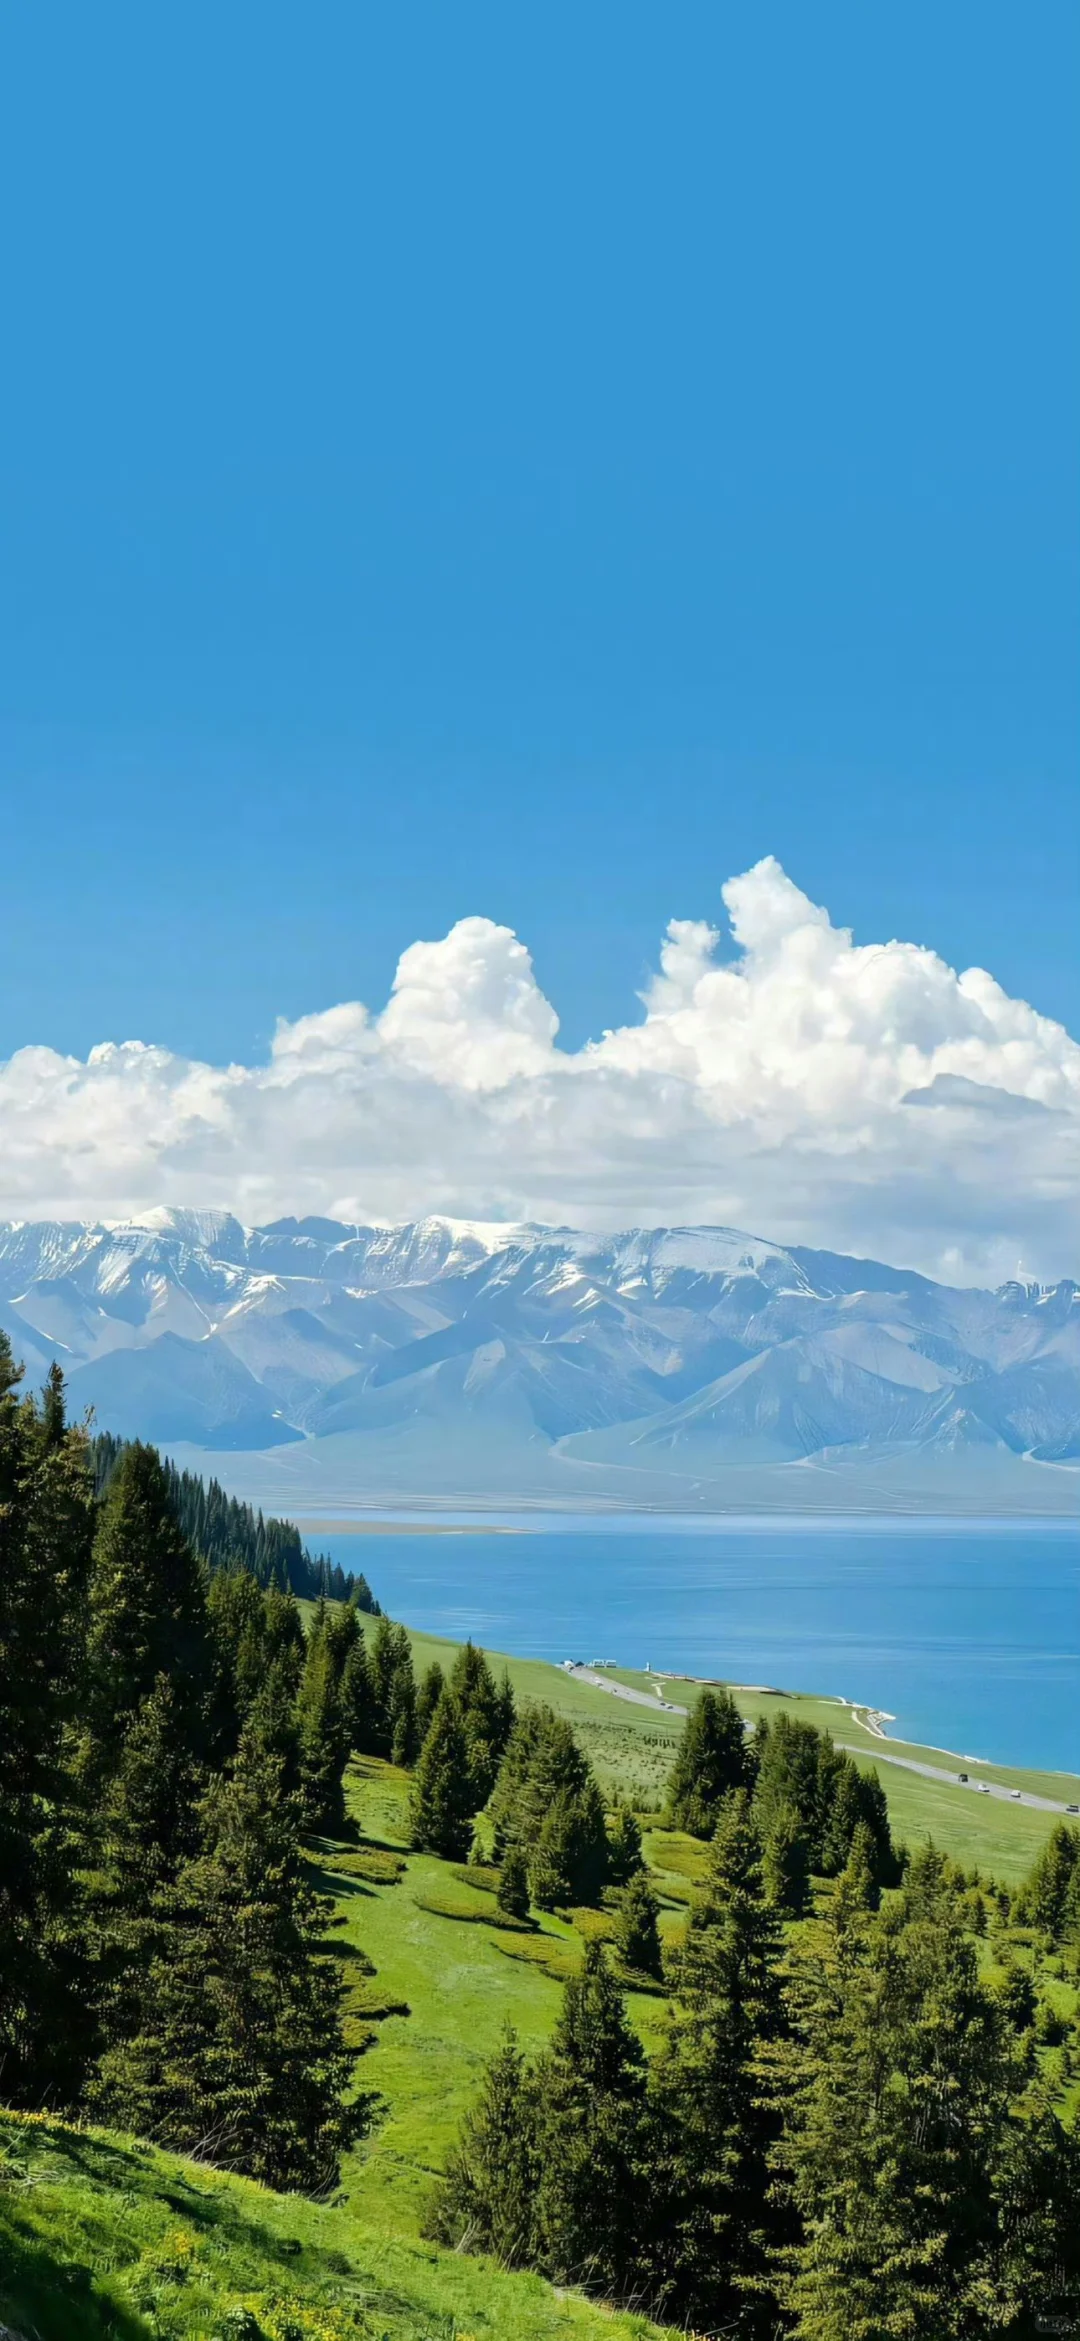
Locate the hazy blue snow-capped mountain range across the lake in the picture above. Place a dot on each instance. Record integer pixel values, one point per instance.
(486, 1364)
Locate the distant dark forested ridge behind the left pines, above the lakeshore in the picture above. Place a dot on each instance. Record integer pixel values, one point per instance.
(233, 1535)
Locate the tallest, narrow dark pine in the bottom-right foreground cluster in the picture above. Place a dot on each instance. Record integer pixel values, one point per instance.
(718, 2129)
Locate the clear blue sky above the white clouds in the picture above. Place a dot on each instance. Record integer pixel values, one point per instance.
(528, 465)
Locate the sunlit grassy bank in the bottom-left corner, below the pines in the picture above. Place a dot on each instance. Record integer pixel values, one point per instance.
(104, 2239)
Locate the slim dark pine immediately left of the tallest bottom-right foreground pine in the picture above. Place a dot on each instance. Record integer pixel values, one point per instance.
(592, 2110)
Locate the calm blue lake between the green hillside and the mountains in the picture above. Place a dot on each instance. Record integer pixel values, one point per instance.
(966, 1633)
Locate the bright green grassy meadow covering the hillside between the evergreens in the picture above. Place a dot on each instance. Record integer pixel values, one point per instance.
(104, 2239)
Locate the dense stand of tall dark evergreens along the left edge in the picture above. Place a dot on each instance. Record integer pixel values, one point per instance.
(168, 1738)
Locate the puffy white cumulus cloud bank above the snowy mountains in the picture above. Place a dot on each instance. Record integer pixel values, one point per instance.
(854, 1097)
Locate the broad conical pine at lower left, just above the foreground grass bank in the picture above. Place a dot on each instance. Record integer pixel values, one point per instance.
(235, 2045)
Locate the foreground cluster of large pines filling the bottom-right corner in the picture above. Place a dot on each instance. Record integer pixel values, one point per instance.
(845, 2134)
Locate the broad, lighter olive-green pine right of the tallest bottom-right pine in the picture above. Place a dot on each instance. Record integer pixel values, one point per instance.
(903, 2134)
